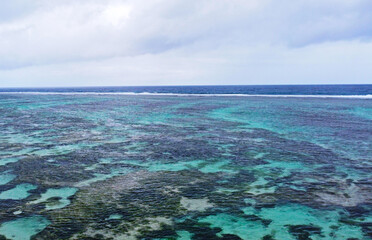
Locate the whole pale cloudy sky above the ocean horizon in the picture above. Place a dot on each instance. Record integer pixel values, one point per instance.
(54, 43)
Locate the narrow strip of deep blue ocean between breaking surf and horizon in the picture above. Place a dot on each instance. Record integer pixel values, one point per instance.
(233, 89)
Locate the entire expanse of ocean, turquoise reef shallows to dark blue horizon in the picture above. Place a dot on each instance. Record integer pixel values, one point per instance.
(233, 162)
